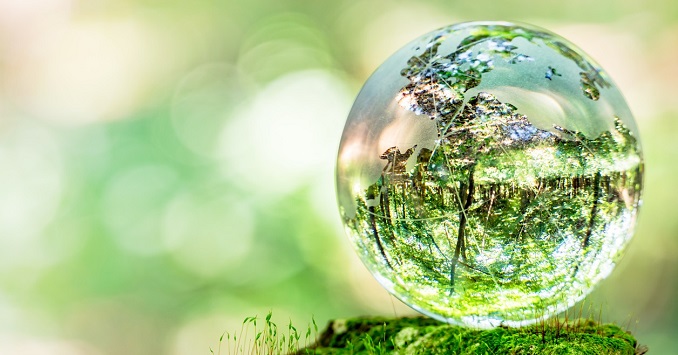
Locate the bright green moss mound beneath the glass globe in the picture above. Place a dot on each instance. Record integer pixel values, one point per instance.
(426, 336)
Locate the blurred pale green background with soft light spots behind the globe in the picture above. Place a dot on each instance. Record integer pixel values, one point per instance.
(167, 166)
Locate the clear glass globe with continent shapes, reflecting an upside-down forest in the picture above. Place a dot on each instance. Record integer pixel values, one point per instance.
(489, 174)
